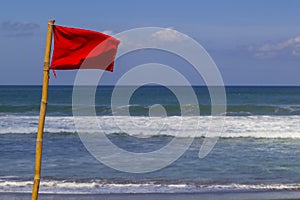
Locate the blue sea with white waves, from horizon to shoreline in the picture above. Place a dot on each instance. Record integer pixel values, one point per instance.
(258, 149)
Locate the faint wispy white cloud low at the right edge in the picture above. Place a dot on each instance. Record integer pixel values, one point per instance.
(287, 47)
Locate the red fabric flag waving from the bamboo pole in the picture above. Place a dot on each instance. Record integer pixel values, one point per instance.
(78, 48)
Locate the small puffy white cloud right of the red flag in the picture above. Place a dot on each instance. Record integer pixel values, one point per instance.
(169, 35)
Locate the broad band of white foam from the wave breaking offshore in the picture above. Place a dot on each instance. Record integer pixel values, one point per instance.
(235, 126)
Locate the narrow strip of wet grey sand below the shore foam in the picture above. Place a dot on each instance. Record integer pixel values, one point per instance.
(241, 195)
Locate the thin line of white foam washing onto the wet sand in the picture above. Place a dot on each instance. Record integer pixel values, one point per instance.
(102, 187)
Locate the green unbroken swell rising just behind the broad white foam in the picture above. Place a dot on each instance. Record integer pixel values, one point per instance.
(172, 110)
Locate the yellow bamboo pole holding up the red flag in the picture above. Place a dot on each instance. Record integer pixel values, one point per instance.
(43, 108)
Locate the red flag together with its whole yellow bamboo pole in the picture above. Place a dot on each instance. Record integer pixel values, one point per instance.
(68, 43)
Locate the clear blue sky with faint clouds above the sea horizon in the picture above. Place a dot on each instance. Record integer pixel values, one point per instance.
(253, 42)
